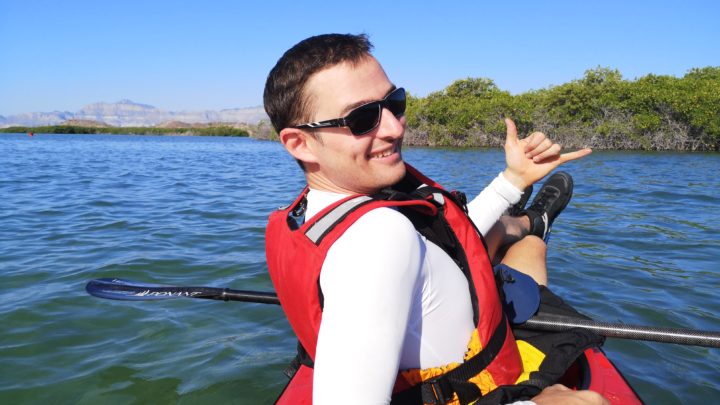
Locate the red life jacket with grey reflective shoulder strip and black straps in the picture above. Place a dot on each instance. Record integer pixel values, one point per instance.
(296, 252)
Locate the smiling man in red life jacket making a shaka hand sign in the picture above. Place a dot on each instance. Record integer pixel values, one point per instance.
(382, 297)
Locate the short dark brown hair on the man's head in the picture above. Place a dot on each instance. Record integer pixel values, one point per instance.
(284, 98)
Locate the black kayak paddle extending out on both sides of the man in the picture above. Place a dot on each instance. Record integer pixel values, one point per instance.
(118, 289)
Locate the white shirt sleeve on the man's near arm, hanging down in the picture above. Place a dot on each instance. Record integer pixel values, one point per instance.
(368, 281)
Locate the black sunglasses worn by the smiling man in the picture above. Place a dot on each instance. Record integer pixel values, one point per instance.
(365, 118)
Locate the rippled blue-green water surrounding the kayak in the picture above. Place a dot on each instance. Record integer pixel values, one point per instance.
(639, 244)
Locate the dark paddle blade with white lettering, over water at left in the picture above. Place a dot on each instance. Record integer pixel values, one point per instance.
(119, 289)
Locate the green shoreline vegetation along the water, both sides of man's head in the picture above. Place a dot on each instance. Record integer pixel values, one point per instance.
(601, 110)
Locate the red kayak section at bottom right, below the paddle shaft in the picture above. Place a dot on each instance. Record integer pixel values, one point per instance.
(594, 371)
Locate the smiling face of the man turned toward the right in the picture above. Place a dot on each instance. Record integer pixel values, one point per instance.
(342, 162)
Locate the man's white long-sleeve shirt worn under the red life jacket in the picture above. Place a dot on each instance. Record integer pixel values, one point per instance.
(392, 300)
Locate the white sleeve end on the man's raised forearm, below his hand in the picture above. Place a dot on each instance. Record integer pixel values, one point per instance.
(491, 203)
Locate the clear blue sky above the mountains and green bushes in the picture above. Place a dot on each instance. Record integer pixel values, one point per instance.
(181, 55)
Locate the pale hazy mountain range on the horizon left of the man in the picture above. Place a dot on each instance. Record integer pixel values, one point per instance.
(126, 113)
